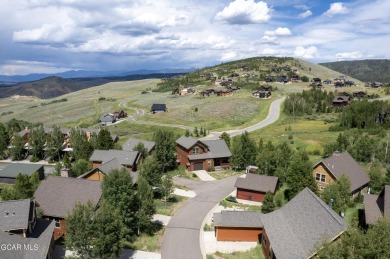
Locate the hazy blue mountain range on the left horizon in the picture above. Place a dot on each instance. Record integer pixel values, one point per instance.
(4, 79)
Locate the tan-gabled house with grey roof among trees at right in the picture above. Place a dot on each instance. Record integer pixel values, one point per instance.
(331, 168)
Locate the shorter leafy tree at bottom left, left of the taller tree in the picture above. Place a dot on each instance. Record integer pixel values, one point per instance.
(80, 229)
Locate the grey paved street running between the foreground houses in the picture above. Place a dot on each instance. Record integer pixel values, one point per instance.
(182, 235)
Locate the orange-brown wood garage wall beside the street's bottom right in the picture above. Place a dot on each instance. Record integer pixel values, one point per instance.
(238, 234)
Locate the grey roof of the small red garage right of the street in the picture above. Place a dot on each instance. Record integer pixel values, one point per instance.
(256, 182)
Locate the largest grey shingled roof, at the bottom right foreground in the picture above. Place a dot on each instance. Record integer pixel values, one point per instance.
(296, 229)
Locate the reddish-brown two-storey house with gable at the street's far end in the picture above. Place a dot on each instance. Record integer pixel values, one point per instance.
(194, 154)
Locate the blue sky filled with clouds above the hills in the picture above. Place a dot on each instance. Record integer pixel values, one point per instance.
(50, 36)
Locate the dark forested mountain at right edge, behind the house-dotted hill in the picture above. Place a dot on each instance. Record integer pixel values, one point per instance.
(372, 70)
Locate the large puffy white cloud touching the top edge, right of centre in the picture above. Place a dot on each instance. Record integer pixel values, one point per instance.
(245, 12)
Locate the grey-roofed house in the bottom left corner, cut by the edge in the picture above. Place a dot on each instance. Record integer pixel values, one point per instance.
(30, 237)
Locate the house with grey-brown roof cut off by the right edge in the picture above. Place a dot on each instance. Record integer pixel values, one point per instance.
(377, 206)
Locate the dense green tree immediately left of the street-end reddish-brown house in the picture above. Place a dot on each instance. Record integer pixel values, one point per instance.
(165, 149)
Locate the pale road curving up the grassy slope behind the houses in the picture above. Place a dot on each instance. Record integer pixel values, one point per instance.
(273, 115)
